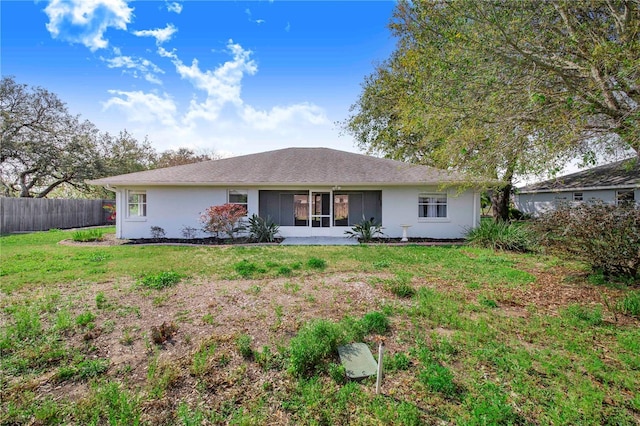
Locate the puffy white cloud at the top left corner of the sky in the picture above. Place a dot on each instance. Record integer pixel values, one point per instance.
(86, 21)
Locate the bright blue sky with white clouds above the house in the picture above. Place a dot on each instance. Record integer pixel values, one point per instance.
(231, 76)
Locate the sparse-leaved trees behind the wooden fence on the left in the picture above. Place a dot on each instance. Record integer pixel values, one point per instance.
(45, 150)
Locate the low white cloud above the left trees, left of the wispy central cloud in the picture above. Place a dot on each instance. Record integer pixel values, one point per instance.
(143, 107)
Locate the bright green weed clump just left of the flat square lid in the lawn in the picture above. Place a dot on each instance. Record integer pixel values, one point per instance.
(316, 342)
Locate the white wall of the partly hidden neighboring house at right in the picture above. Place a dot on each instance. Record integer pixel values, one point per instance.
(541, 202)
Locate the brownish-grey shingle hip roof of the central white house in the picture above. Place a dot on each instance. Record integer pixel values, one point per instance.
(290, 166)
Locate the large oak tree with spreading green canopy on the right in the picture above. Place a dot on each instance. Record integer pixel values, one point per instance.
(503, 88)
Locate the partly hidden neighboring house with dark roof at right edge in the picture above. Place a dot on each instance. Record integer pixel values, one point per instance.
(612, 183)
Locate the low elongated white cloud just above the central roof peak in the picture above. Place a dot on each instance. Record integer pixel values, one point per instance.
(280, 116)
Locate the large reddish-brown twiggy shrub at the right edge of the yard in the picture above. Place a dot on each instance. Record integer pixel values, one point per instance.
(606, 237)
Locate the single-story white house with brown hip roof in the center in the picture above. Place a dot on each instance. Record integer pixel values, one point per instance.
(307, 191)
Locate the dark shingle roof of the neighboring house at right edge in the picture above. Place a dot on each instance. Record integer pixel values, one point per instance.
(621, 174)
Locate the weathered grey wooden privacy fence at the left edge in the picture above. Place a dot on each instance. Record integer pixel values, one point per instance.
(42, 214)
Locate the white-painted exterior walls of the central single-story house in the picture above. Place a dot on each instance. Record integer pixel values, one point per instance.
(174, 208)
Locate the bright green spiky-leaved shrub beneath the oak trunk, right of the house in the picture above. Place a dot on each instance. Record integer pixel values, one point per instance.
(501, 235)
